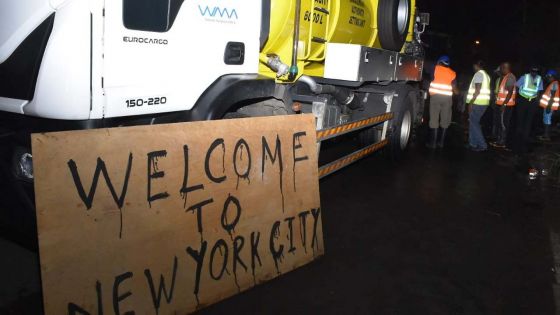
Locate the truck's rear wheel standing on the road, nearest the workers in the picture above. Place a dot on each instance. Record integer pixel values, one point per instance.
(402, 130)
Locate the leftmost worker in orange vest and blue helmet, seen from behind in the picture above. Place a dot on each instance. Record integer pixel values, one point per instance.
(441, 101)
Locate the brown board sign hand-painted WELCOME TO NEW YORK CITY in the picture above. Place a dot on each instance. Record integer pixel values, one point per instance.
(166, 219)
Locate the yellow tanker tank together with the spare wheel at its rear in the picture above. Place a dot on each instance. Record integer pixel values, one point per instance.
(334, 21)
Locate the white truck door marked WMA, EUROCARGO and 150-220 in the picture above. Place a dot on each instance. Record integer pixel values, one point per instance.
(161, 55)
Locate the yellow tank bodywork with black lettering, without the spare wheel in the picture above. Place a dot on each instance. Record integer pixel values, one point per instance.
(321, 21)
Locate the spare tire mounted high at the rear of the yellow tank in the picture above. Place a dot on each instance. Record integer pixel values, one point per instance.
(393, 20)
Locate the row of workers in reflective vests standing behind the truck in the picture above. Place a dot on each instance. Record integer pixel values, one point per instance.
(525, 95)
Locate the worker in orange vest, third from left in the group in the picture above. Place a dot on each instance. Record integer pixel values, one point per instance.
(506, 94)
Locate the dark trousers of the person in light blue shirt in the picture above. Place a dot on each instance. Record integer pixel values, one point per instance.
(525, 113)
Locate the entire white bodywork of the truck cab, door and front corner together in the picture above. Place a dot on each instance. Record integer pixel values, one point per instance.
(90, 70)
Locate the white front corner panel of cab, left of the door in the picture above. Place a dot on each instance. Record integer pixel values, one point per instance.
(62, 90)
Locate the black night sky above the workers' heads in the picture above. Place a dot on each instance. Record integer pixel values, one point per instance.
(524, 32)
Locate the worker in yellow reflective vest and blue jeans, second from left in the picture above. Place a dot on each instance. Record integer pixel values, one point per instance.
(478, 99)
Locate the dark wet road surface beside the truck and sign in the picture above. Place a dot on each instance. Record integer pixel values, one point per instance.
(449, 232)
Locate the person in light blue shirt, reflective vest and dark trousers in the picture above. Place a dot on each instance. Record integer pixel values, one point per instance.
(530, 85)
